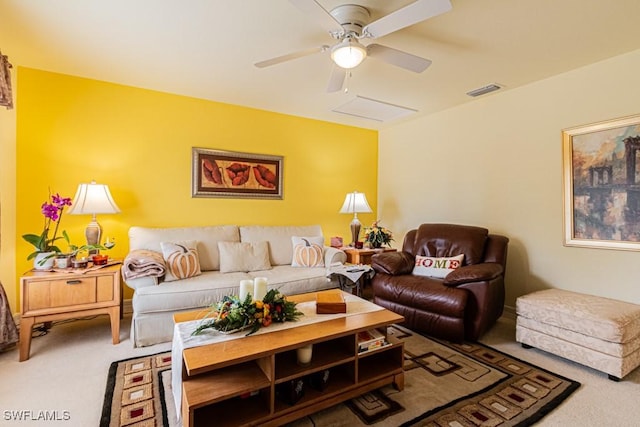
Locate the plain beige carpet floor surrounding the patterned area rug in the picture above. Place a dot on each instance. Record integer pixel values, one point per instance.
(68, 370)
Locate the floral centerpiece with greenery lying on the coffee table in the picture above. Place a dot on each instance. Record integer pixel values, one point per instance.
(232, 315)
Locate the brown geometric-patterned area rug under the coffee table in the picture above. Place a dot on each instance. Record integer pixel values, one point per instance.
(445, 384)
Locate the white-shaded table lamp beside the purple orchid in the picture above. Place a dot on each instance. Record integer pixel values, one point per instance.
(92, 199)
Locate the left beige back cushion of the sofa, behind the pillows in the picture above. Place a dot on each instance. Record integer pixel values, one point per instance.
(207, 237)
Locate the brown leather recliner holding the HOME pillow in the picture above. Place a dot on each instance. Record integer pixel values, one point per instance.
(464, 304)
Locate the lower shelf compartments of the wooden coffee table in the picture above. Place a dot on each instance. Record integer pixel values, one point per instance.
(206, 398)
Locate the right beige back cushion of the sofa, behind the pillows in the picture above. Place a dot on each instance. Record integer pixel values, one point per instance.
(279, 239)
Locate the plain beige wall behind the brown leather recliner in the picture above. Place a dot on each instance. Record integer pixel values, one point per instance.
(497, 162)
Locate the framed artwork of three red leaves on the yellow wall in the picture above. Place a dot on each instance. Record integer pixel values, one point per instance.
(218, 173)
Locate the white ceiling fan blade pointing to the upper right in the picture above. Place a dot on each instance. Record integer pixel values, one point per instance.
(415, 12)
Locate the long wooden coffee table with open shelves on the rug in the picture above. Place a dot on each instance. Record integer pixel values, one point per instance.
(235, 382)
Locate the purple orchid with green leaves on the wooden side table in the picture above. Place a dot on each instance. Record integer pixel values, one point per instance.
(52, 211)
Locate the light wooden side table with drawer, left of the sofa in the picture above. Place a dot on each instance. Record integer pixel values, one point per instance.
(50, 296)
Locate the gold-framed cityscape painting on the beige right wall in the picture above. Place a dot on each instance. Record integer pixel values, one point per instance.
(601, 164)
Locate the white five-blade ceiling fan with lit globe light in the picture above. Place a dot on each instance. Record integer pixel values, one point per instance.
(349, 24)
